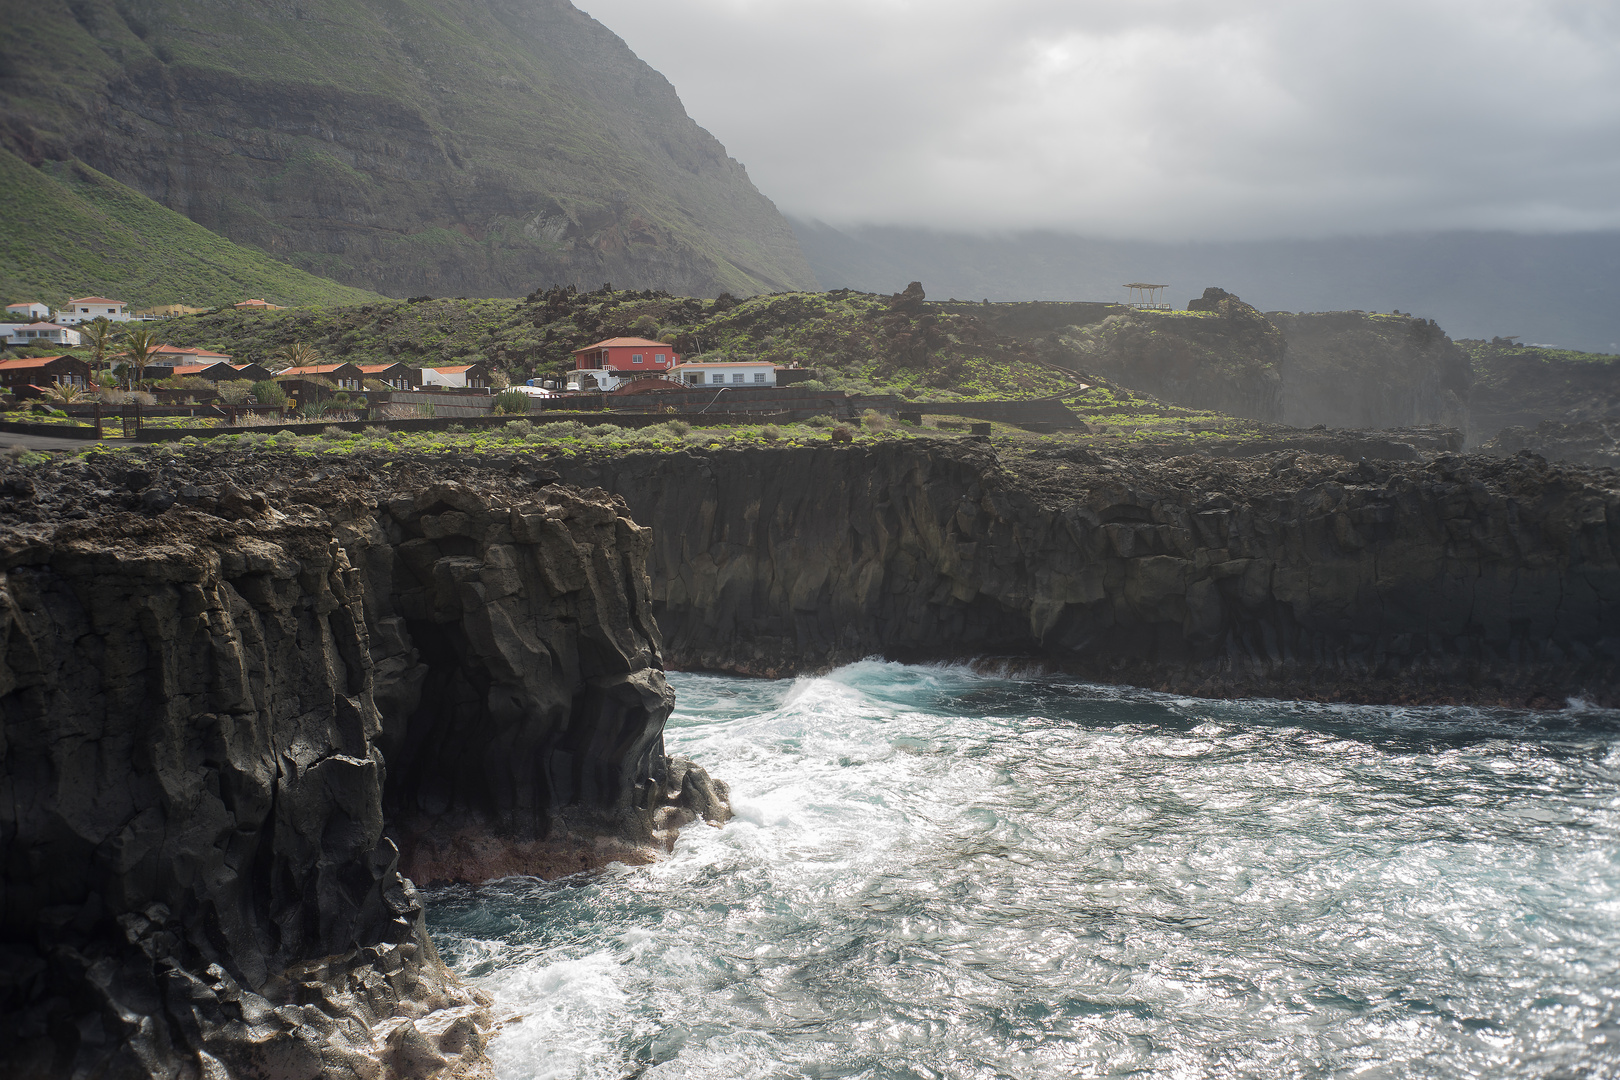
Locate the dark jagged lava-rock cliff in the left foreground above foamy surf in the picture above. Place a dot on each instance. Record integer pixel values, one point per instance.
(231, 721)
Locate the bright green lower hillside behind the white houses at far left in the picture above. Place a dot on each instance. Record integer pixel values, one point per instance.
(72, 232)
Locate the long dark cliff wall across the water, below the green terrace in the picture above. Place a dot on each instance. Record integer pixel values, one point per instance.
(1290, 576)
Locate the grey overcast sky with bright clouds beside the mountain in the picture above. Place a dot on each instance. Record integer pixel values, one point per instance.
(1157, 119)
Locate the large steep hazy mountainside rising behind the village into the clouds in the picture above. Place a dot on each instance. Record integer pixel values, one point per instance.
(407, 147)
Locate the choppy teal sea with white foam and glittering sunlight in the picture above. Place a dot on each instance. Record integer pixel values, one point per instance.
(939, 874)
